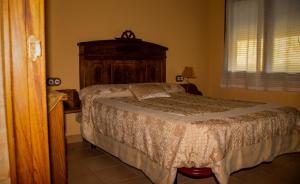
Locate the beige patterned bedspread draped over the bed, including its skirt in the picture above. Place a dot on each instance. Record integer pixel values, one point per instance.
(185, 130)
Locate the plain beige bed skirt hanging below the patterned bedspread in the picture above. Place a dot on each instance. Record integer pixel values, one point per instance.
(249, 156)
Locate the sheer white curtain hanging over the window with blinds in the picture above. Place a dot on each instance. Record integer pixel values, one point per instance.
(262, 45)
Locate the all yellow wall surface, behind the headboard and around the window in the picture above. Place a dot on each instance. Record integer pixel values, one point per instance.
(193, 30)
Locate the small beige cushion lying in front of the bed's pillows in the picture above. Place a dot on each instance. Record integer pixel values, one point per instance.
(148, 90)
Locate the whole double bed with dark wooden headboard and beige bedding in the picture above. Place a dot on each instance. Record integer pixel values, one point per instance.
(173, 129)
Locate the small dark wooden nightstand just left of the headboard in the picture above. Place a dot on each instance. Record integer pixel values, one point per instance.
(72, 104)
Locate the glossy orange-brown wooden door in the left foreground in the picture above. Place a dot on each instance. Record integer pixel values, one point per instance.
(22, 27)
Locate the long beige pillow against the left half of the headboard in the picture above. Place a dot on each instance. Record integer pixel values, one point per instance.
(106, 91)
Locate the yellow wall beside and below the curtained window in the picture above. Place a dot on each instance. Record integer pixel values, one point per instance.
(215, 66)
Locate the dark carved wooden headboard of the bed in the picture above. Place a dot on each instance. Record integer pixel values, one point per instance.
(120, 61)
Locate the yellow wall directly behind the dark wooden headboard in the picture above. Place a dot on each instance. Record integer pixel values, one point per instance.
(176, 24)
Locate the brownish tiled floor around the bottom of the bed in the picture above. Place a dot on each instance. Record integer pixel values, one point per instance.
(87, 166)
